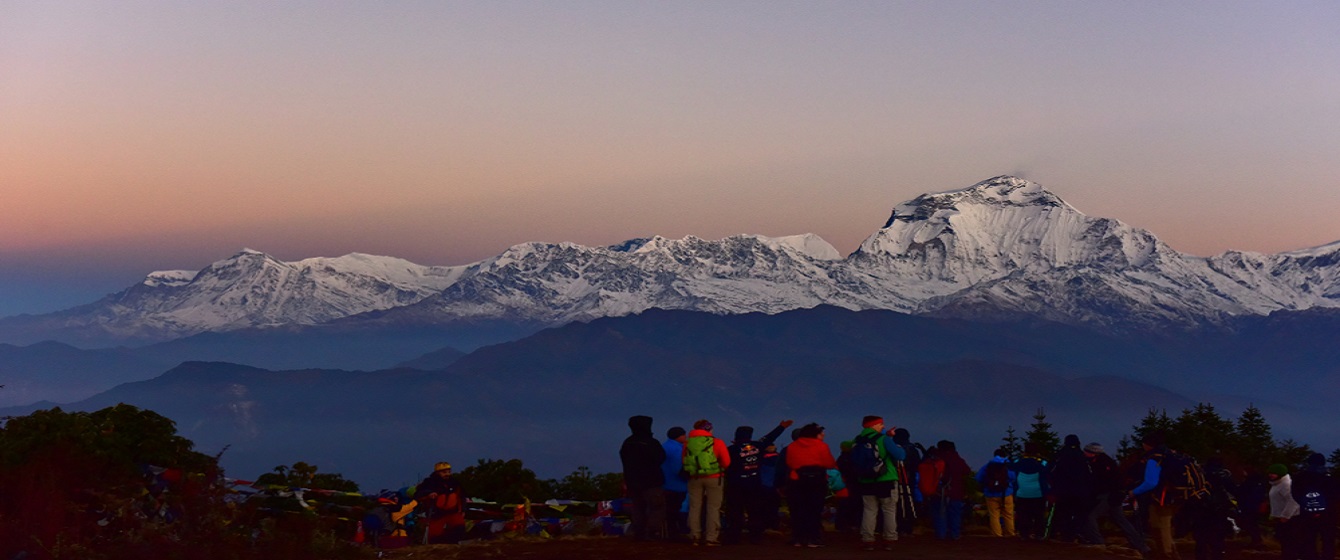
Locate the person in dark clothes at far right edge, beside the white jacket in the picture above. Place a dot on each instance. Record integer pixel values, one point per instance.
(1317, 494)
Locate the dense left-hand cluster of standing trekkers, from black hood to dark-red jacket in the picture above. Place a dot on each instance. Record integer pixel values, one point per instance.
(893, 480)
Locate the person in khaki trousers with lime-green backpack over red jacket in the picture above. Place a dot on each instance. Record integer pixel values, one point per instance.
(707, 460)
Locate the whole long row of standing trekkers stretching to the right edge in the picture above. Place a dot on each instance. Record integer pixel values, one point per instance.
(882, 484)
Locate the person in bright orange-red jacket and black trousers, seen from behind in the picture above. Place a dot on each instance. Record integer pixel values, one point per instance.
(809, 460)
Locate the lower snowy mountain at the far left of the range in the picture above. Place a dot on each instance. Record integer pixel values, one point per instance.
(249, 290)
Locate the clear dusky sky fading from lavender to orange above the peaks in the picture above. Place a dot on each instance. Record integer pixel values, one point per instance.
(144, 136)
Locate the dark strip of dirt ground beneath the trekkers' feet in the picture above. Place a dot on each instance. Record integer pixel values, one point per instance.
(841, 546)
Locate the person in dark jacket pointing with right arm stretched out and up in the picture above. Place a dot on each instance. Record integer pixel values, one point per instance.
(744, 494)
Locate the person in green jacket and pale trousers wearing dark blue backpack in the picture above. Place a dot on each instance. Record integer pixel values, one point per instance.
(874, 456)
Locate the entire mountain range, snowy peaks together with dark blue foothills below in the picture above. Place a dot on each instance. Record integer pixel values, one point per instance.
(963, 316)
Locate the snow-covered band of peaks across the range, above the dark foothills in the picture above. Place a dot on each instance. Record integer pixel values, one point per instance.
(1004, 247)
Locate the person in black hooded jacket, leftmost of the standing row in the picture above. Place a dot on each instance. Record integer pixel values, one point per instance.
(643, 456)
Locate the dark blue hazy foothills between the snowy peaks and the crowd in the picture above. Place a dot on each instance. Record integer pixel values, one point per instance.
(561, 399)
